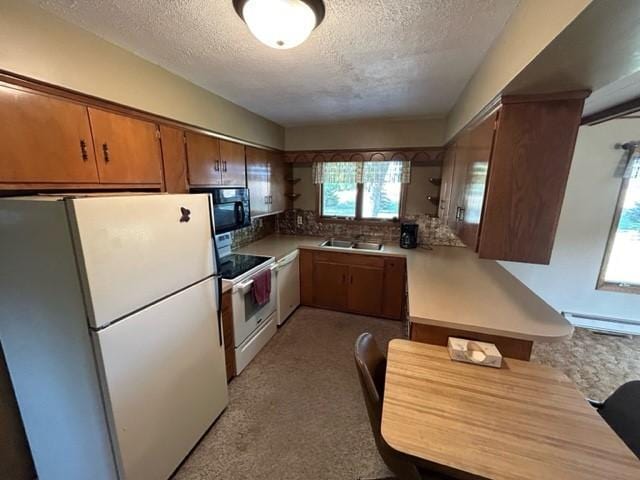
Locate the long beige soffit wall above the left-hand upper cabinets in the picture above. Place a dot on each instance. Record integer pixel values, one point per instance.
(36, 44)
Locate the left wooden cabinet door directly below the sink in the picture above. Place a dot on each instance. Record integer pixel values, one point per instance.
(330, 288)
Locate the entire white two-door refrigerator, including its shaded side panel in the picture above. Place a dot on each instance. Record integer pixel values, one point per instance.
(109, 321)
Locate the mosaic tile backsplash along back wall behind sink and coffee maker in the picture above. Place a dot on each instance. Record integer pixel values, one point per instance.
(430, 232)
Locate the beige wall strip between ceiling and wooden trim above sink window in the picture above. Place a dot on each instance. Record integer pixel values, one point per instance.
(367, 134)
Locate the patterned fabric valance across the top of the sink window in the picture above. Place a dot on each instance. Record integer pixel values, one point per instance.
(362, 172)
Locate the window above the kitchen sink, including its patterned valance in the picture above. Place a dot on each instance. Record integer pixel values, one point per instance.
(361, 190)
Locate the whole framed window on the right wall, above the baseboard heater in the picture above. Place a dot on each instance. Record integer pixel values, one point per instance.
(621, 266)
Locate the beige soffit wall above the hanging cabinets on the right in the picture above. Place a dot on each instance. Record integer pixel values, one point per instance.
(533, 25)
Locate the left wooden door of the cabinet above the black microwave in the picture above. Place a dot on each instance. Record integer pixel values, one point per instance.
(203, 158)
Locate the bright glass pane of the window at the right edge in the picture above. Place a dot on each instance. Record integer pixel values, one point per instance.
(623, 265)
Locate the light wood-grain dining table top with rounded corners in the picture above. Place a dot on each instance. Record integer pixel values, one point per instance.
(521, 421)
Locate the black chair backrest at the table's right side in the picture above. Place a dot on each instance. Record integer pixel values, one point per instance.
(622, 412)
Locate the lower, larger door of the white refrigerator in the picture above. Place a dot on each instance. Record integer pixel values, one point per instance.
(164, 378)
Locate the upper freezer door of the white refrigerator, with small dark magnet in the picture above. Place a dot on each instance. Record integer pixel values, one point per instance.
(134, 250)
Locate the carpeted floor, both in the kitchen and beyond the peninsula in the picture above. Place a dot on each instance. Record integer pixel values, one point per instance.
(297, 412)
